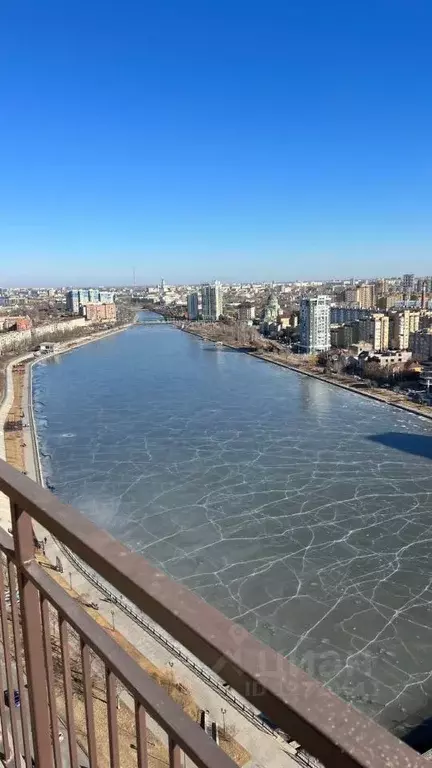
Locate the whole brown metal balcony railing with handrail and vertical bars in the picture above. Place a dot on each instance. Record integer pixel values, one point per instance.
(326, 727)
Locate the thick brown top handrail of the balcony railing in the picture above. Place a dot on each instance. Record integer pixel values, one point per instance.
(320, 721)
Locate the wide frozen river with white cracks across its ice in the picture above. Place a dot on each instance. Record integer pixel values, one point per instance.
(299, 510)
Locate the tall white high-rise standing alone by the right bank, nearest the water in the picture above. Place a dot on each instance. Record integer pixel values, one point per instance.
(315, 324)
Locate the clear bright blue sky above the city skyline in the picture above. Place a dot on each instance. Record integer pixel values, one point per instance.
(228, 139)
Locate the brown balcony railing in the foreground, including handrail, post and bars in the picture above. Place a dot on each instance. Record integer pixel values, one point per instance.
(334, 732)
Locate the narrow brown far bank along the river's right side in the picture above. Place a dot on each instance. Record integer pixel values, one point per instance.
(387, 397)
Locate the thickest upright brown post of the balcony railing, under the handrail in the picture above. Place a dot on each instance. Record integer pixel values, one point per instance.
(32, 636)
